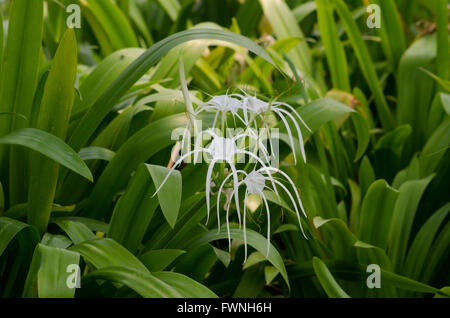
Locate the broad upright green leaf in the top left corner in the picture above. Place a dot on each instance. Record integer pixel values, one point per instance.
(19, 77)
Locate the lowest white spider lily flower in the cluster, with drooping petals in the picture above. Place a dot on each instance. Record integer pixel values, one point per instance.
(255, 183)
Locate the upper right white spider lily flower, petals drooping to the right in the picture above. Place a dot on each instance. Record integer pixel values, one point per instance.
(252, 104)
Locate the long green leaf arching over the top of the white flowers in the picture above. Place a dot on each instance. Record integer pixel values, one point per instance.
(138, 68)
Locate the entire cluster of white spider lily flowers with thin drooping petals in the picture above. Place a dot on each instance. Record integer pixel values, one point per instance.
(256, 177)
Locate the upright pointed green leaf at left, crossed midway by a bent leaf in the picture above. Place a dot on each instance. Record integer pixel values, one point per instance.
(54, 118)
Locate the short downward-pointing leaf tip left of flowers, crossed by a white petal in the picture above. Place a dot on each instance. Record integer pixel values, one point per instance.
(170, 194)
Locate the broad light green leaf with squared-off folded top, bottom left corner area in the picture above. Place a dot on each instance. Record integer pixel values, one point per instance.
(48, 275)
